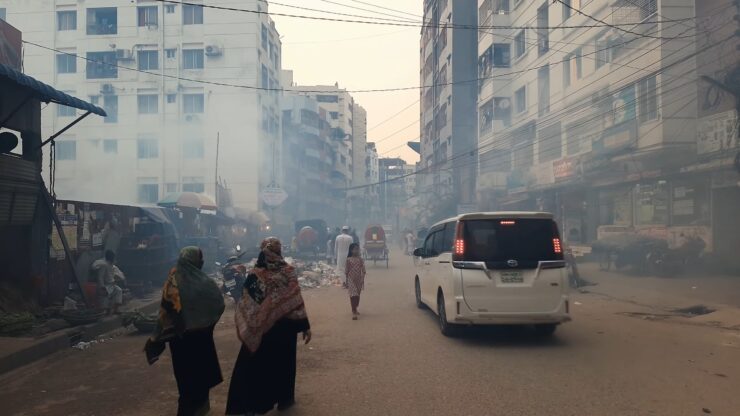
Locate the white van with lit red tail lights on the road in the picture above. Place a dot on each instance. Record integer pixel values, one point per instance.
(494, 268)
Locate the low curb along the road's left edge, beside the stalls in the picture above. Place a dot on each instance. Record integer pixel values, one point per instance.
(65, 339)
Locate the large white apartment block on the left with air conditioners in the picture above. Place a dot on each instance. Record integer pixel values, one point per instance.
(161, 71)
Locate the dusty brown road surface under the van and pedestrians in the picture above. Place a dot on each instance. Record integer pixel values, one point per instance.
(395, 362)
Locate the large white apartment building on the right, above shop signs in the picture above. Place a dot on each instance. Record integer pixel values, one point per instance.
(585, 121)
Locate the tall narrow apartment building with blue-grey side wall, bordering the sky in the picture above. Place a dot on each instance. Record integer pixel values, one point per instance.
(448, 106)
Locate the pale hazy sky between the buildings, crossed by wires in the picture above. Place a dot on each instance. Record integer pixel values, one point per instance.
(359, 57)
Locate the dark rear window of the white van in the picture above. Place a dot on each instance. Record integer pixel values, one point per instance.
(524, 240)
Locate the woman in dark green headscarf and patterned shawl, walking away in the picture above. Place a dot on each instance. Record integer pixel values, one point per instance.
(191, 306)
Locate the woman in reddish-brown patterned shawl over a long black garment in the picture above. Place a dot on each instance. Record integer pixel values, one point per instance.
(268, 318)
